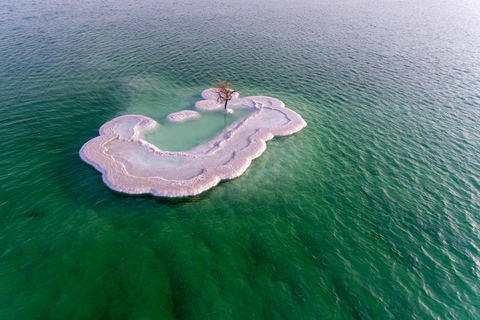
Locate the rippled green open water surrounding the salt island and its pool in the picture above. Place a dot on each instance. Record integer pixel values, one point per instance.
(371, 212)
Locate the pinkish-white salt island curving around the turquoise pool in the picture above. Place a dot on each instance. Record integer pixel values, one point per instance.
(132, 165)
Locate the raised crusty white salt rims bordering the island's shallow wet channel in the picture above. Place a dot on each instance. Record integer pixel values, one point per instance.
(116, 176)
